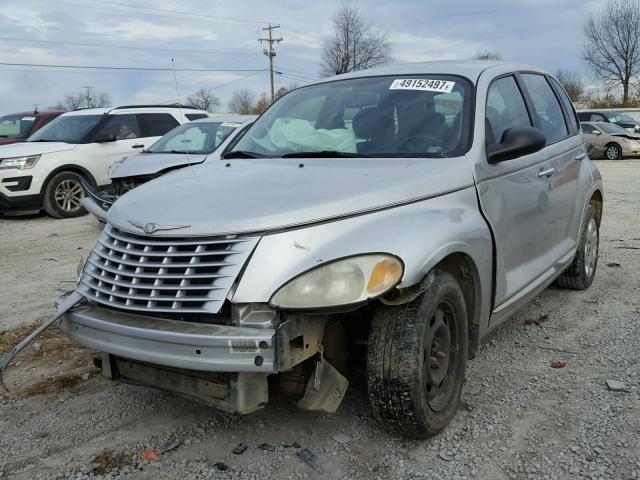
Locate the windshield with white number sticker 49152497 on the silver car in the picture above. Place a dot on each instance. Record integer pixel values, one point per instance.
(389, 116)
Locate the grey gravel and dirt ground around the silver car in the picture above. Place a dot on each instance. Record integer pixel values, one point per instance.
(520, 418)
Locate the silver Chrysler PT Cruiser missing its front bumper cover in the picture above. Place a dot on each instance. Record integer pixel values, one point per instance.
(389, 218)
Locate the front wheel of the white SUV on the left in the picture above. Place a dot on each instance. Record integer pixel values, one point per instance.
(62, 196)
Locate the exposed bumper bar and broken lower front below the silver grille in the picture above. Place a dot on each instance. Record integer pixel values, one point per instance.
(224, 364)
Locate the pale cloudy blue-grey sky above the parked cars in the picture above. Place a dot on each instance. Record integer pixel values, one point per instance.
(212, 34)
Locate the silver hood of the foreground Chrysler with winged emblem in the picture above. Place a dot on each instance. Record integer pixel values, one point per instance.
(241, 196)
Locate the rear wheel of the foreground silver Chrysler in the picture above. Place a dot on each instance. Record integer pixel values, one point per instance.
(582, 271)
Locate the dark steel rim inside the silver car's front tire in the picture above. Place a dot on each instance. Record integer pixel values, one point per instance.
(439, 358)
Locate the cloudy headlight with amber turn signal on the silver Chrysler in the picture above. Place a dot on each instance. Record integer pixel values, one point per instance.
(342, 282)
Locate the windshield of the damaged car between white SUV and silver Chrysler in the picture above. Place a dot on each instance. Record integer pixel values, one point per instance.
(201, 138)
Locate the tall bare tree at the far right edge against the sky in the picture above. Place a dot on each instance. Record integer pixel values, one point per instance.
(612, 44)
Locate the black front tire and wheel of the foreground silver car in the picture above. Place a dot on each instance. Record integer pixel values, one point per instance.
(401, 386)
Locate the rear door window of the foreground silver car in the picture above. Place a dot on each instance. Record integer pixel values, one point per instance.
(549, 117)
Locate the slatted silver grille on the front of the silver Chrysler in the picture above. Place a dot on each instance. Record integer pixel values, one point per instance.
(163, 274)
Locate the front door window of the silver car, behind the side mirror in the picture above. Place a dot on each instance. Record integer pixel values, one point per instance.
(505, 108)
